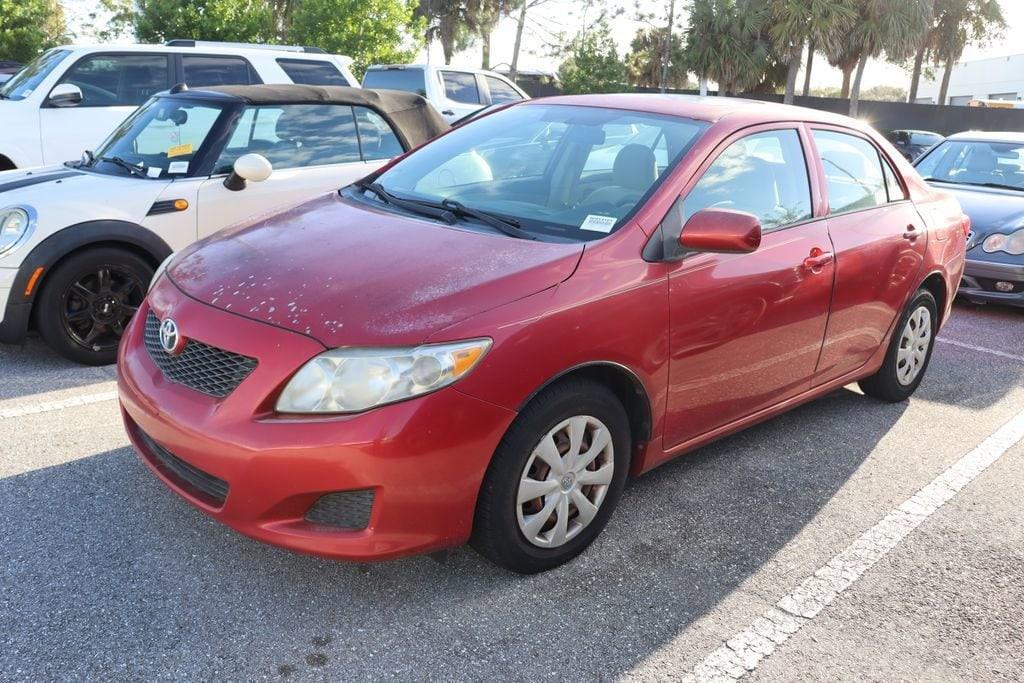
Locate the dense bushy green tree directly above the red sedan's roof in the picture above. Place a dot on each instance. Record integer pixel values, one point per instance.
(727, 41)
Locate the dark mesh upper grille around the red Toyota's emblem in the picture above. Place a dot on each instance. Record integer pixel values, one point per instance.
(206, 369)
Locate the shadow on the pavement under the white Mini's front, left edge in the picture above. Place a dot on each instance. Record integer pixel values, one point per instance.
(34, 369)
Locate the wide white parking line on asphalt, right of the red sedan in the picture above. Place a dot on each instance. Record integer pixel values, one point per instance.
(745, 652)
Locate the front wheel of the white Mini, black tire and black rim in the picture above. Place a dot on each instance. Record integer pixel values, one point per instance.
(80, 314)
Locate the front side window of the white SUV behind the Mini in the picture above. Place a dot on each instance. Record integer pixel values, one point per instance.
(118, 80)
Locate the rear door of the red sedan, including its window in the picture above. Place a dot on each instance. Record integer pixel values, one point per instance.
(879, 241)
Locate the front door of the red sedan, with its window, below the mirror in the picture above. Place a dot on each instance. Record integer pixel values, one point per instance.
(747, 329)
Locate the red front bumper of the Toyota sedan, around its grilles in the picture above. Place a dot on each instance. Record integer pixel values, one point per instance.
(423, 460)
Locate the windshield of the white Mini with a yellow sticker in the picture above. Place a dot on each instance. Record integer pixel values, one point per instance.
(161, 140)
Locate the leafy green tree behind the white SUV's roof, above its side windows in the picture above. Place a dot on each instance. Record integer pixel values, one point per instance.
(158, 21)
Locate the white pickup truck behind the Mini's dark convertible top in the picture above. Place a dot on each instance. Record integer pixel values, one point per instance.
(454, 93)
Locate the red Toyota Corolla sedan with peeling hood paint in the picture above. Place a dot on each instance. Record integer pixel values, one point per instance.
(482, 341)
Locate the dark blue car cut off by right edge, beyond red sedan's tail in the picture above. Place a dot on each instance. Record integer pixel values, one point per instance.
(986, 173)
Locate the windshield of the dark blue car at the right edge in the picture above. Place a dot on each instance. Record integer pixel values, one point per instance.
(976, 163)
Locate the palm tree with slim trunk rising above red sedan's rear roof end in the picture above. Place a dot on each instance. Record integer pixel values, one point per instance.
(885, 26)
